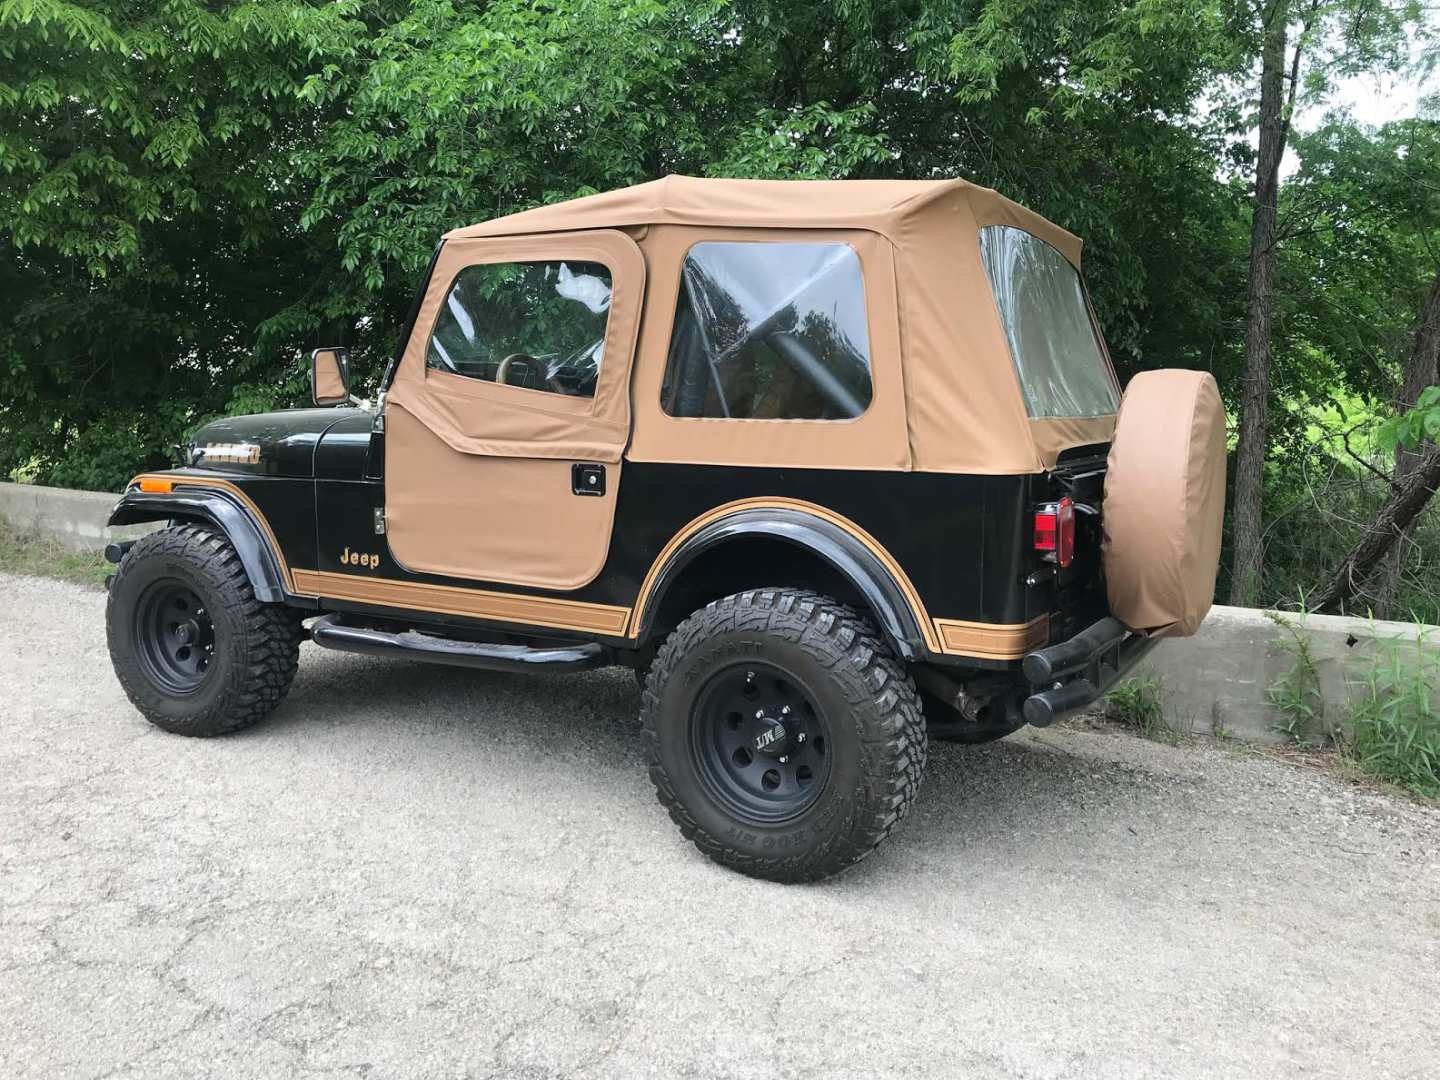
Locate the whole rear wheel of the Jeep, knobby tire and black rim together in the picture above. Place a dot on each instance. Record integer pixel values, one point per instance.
(786, 739)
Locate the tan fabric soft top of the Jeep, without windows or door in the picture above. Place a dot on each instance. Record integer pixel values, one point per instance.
(954, 402)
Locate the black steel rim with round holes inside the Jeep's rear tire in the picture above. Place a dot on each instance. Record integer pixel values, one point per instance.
(760, 742)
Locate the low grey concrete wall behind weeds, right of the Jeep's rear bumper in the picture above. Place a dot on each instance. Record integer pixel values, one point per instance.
(1219, 682)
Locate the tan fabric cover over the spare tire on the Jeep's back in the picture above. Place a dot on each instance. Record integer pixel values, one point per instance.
(1166, 503)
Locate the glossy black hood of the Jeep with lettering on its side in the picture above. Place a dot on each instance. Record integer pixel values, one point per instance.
(271, 444)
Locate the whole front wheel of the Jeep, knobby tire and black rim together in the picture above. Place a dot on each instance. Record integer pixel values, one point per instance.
(192, 647)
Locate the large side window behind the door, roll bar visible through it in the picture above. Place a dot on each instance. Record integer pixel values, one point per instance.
(770, 332)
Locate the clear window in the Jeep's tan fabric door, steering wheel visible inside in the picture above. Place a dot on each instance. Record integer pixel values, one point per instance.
(539, 326)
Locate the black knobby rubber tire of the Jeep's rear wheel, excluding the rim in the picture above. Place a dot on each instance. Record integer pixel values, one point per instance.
(872, 711)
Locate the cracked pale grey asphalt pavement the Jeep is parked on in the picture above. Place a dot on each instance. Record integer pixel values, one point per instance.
(426, 872)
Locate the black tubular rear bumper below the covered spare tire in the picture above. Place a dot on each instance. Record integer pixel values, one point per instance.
(1079, 672)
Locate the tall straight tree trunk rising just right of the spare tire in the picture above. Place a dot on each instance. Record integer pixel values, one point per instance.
(1255, 388)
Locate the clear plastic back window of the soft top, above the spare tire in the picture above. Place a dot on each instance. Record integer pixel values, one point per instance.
(1048, 322)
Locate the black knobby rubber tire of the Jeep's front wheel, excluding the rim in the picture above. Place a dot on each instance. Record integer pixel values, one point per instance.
(257, 646)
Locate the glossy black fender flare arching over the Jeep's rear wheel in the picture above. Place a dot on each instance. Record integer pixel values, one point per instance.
(833, 545)
